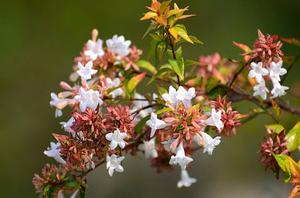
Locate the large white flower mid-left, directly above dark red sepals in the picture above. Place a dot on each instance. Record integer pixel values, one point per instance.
(88, 99)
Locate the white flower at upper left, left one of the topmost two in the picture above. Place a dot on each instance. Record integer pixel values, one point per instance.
(94, 49)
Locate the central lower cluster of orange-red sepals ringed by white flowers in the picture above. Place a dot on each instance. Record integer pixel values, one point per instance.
(183, 126)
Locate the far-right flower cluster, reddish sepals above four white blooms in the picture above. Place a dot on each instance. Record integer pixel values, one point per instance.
(266, 64)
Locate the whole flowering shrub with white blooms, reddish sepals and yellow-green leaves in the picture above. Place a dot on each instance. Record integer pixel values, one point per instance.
(189, 109)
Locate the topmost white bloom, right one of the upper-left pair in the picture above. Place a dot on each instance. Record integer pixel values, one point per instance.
(118, 45)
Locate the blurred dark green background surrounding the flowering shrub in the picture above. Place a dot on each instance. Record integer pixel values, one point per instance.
(39, 40)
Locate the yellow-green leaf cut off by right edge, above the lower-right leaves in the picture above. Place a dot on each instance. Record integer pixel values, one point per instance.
(293, 138)
